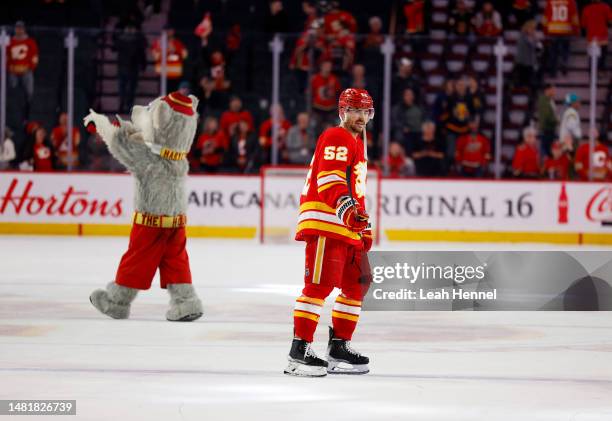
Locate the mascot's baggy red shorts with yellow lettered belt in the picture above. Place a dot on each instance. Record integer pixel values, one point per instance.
(155, 242)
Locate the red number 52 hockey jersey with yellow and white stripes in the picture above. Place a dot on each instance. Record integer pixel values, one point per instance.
(338, 168)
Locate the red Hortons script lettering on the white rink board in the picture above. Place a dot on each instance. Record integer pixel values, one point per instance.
(70, 202)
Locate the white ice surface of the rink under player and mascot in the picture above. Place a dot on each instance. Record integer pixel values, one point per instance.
(425, 366)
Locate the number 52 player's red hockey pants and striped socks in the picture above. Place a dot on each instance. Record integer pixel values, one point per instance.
(332, 263)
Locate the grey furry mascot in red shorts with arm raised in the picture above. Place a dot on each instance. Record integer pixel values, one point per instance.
(153, 146)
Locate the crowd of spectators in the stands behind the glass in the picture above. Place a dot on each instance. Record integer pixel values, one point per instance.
(441, 139)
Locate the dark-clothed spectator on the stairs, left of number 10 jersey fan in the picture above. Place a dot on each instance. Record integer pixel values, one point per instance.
(526, 61)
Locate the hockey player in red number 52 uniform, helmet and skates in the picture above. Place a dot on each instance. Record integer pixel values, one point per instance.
(334, 224)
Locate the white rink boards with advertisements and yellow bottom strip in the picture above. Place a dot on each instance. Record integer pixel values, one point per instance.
(230, 207)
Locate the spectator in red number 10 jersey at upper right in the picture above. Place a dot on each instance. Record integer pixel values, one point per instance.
(560, 22)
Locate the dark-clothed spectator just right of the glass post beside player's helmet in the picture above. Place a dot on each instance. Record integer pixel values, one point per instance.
(407, 119)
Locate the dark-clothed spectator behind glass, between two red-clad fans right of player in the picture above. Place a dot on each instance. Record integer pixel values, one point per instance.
(428, 155)
